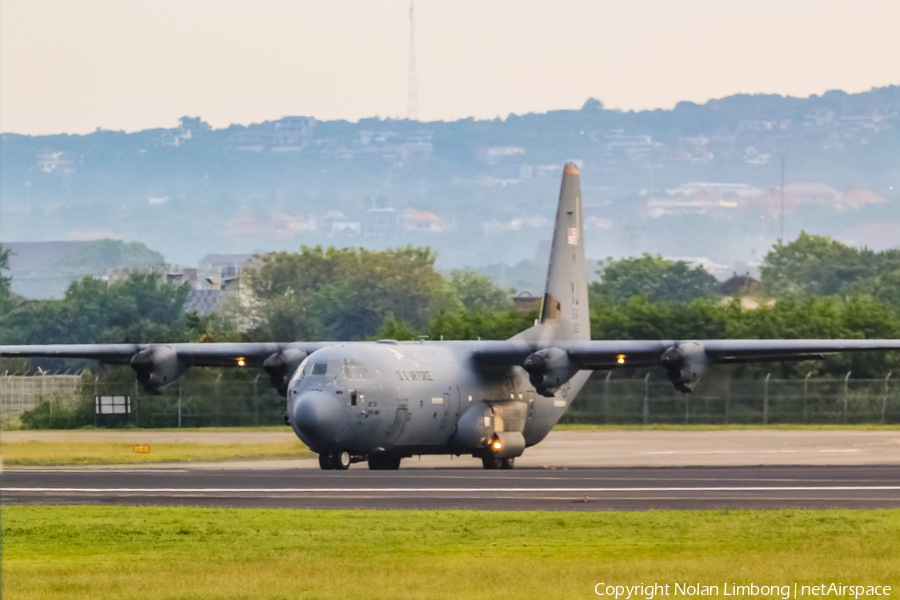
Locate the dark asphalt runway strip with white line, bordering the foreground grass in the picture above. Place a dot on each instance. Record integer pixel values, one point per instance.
(584, 489)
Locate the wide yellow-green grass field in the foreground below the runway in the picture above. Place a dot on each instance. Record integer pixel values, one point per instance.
(145, 553)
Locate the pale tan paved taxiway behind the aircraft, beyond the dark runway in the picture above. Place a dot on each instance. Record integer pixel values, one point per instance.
(602, 448)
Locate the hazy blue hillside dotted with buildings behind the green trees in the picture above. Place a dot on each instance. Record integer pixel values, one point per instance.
(697, 181)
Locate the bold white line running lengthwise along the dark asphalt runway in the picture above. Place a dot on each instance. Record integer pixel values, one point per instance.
(443, 490)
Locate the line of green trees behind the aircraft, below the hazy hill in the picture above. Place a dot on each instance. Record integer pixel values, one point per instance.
(812, 287)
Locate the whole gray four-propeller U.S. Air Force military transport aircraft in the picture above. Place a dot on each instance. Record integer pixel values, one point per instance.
(382, 401)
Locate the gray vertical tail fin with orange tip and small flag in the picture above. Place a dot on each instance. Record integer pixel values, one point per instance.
(564, 310)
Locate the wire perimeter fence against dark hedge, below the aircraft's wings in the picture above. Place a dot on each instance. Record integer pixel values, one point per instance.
(246, 401)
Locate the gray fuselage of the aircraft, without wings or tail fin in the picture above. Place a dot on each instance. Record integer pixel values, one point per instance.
(410, 398)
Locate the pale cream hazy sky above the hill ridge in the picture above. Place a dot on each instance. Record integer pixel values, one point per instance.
(75, 65)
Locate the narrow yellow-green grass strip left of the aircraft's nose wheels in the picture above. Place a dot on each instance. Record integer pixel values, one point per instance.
(47, 453)
